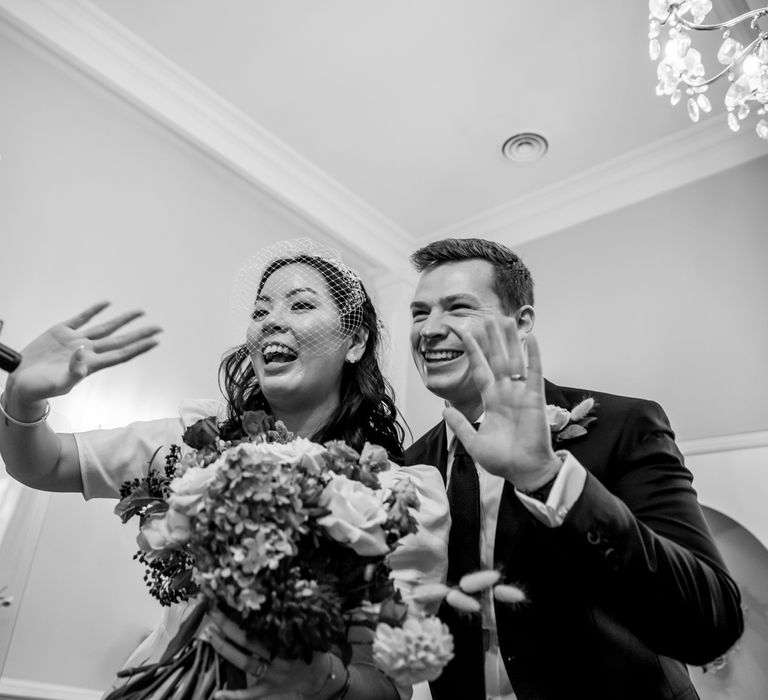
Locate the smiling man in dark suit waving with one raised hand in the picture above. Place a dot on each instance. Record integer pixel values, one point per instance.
(602, 531)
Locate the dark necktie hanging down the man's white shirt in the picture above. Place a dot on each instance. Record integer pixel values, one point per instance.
(464, 501)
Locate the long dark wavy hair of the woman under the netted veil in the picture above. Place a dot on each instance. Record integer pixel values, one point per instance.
(366, 410)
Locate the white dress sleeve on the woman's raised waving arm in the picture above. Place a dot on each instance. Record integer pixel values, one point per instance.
(110, 457)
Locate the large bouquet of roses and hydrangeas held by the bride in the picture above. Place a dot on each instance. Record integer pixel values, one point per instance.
(286, 537)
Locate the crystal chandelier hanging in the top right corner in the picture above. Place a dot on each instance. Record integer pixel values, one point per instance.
(680, 67)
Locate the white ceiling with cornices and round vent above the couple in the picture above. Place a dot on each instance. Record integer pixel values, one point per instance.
(383, 121)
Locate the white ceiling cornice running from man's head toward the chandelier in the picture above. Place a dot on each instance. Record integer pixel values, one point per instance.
(674, 161)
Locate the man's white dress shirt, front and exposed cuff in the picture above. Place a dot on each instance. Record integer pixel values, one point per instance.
(567, 488)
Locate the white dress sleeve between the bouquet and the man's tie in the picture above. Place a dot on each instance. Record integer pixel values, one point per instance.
(422, 557)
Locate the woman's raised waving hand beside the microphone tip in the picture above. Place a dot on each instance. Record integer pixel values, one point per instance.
(68, 352)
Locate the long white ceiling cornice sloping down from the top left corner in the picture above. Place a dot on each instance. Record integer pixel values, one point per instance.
(101, 47)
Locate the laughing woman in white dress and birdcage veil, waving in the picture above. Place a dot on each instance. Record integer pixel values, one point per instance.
(309, 359)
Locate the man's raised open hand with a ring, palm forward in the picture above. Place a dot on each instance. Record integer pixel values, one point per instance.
(513, 440)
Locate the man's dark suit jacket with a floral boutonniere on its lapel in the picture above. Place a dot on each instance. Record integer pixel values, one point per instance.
(628, 589)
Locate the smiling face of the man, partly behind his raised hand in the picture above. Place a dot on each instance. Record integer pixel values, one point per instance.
(451, 299)
